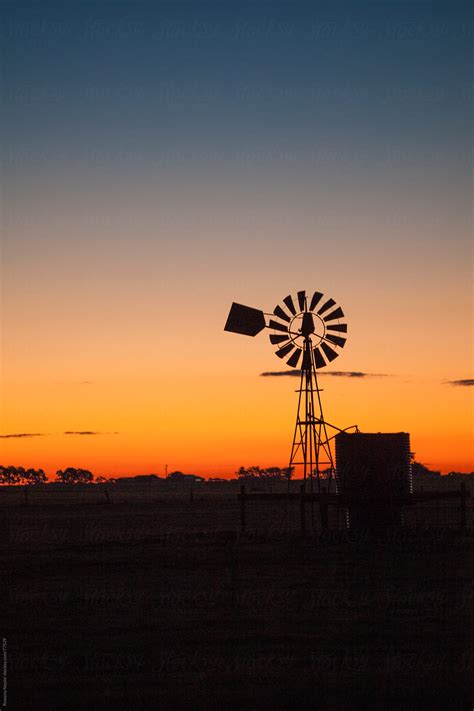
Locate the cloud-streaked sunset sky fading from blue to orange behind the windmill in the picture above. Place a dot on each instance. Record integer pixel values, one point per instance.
(162, 160)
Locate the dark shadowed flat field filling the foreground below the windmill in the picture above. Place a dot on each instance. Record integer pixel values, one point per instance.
(163, 605)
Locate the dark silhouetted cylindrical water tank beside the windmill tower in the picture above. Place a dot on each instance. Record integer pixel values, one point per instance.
(373, 472)
